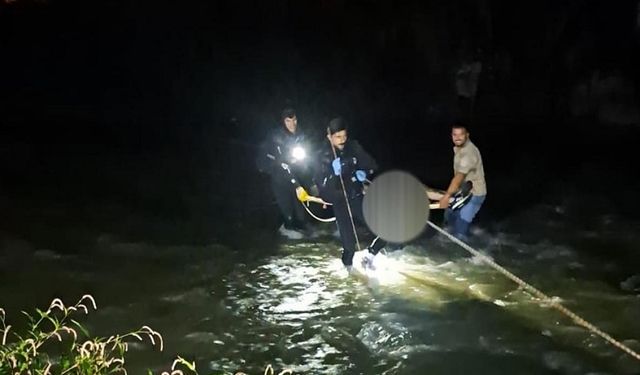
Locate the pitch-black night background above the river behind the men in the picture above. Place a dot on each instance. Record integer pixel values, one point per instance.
(142, 118)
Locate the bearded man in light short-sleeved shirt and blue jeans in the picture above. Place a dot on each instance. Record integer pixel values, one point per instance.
(467, 166)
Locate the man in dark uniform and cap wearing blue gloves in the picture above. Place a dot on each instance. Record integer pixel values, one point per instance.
(346, 160)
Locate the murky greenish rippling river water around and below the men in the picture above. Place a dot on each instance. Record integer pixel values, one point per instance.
(427, 308)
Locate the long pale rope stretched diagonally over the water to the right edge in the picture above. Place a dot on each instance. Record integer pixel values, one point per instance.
(551, 301)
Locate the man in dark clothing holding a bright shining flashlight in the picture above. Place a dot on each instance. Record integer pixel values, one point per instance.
(282, 156)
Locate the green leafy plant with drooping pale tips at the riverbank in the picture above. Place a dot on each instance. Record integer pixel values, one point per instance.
(56, 343)
